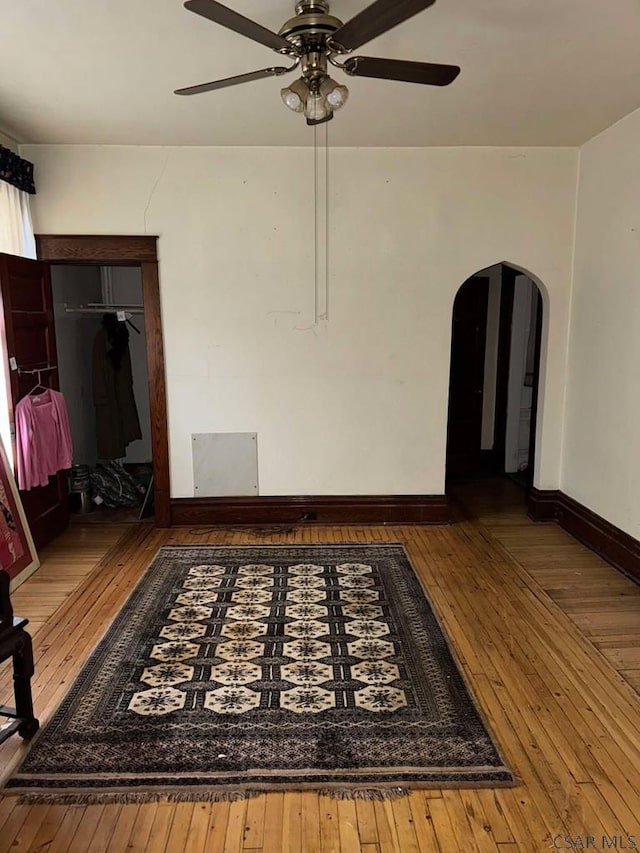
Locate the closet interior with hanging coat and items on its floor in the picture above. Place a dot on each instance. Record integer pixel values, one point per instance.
(103, 374)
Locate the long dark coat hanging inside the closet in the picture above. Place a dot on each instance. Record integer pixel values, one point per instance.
(117, 422)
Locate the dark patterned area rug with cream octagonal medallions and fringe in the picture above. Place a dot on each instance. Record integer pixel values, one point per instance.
(233, 670)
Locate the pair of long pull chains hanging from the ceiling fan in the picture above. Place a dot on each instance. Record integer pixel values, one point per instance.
(321, 199)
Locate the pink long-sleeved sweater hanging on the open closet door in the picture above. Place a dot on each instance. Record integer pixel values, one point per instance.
(43, 438)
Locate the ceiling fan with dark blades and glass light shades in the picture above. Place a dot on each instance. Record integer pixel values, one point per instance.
(313, 39)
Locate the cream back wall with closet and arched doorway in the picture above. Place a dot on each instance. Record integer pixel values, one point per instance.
(357, 405)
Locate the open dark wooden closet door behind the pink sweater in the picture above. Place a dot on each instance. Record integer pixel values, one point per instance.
(28, 330)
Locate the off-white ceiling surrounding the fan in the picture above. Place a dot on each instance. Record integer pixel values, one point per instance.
(534, 72)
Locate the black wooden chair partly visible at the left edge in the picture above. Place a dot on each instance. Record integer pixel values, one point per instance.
(16, 643)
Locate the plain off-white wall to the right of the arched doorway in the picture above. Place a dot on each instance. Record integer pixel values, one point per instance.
(601, 463)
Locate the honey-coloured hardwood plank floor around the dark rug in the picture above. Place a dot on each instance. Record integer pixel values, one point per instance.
(546, 633)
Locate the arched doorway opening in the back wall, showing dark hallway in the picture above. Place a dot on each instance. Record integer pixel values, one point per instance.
(494, 375)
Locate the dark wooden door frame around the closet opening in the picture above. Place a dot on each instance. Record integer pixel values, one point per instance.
(131, 251)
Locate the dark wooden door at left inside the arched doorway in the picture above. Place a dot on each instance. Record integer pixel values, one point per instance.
(466, 381)
